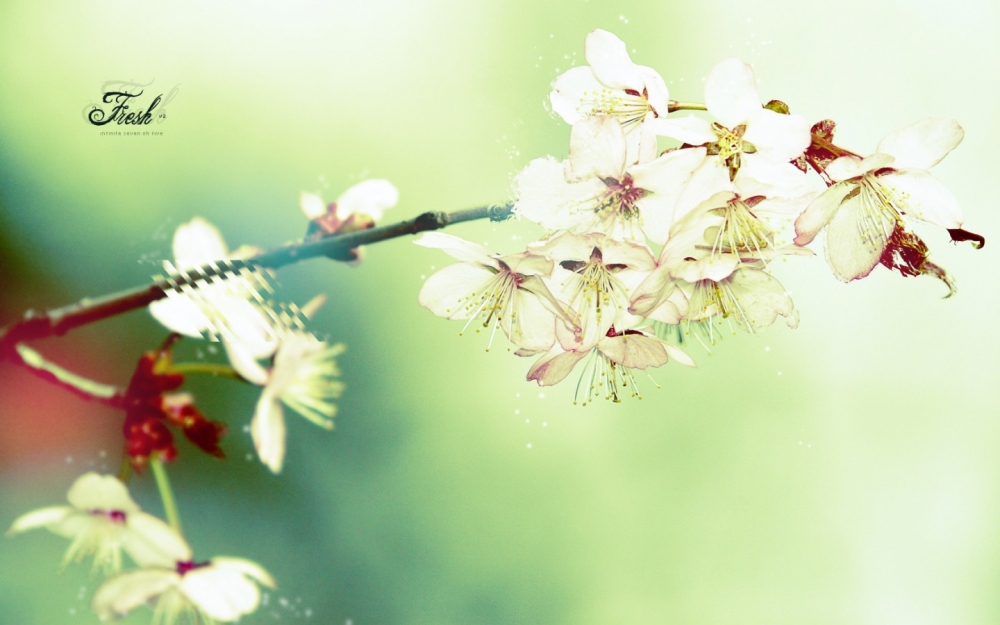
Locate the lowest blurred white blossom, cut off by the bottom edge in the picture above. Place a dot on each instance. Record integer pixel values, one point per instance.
(222, 589)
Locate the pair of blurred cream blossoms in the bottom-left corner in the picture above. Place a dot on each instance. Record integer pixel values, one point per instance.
(103, 519)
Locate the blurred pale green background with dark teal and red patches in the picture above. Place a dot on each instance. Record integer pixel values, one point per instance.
(843, 472)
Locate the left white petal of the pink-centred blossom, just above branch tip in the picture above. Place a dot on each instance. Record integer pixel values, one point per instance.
(544, 196)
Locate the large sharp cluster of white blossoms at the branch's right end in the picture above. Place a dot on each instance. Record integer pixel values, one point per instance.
(644, 244)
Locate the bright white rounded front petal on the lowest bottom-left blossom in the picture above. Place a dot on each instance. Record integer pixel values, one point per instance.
(221, 593)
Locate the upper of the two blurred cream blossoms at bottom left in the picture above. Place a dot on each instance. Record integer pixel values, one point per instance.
(102, 519)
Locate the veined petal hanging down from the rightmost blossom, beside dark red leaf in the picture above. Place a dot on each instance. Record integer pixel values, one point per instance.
(850, 255)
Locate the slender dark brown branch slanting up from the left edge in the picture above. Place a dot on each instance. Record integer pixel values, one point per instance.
(58, 321)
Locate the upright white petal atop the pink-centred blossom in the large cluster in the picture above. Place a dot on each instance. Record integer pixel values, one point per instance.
(597, 148)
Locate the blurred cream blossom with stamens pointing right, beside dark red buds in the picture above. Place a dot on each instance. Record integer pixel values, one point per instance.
(303, 377)
